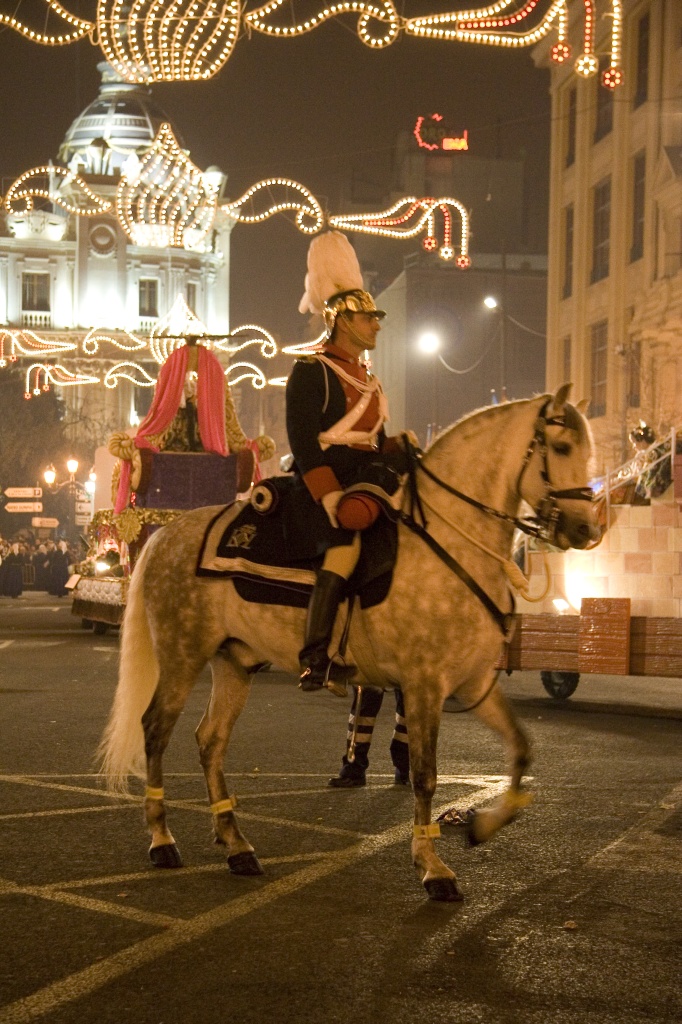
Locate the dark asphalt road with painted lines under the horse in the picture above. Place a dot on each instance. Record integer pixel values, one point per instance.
(572, 914)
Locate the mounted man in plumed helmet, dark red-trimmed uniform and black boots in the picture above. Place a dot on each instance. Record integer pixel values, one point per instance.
(336, 412)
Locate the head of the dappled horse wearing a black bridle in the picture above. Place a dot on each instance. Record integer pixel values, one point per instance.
(557, 474)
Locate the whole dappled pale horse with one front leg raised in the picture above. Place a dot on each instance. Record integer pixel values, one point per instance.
(439, 632)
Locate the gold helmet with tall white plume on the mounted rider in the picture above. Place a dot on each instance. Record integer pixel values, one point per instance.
(334, 282)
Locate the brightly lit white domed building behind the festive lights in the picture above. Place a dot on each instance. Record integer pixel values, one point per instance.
(62, 274)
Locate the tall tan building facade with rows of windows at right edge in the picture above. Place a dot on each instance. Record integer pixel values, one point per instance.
(615, 277)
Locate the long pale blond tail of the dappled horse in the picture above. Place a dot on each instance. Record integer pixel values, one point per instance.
(121, 751)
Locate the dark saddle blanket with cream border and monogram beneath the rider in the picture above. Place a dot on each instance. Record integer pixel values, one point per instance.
(273, 557)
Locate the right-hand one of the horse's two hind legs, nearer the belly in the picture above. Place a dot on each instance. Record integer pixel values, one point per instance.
(231, 690)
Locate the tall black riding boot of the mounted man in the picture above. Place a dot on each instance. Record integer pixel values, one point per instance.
(317, 667)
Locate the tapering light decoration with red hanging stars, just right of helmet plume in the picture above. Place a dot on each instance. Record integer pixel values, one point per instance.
(407, 219)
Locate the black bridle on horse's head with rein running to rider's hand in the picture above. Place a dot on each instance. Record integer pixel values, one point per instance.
(544, 524)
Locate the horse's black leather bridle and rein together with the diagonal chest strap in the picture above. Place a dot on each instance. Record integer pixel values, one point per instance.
(543, 525)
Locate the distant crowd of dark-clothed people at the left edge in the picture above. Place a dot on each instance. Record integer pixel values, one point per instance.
(42, 566)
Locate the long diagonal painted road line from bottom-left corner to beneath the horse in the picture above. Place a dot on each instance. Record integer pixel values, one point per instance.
(182, 933)
